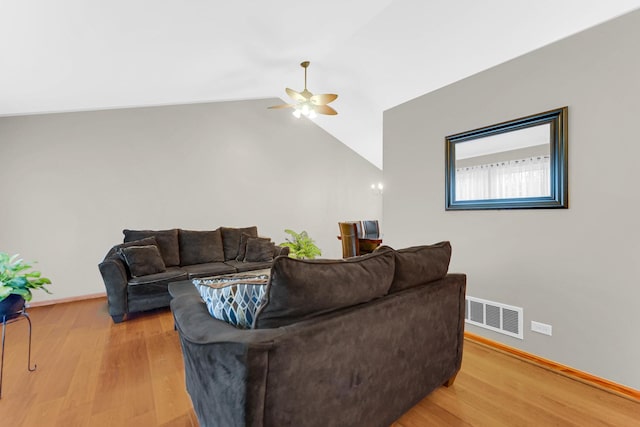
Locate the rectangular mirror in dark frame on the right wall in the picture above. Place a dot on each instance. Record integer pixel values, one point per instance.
(519, 164)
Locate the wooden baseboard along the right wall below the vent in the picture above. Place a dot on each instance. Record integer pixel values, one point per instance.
(567, 371)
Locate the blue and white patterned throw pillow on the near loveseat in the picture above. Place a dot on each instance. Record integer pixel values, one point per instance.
(234, 298)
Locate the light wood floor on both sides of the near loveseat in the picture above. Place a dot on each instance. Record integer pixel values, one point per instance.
(94, 373)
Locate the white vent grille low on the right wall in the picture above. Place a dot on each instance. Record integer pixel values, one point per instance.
(495, 316)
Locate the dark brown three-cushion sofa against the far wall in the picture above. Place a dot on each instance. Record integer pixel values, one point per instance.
(136, 273)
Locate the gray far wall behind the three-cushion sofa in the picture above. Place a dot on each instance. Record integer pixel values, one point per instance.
(71, 182)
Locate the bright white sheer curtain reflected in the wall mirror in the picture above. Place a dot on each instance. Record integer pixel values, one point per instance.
(519, 178)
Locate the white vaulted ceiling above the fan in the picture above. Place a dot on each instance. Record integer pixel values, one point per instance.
(72, 55)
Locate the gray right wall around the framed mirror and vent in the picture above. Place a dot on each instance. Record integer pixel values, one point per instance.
(576, 269)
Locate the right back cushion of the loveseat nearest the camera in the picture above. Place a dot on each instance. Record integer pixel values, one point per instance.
(420, 264)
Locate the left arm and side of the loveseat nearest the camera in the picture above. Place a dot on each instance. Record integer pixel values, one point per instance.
(225, 367)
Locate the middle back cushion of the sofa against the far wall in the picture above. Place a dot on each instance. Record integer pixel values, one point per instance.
(199, 247)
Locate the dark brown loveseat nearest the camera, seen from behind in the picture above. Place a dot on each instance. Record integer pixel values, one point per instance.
(353, 342)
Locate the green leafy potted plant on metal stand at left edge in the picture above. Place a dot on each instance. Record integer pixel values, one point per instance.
(16, 282)
